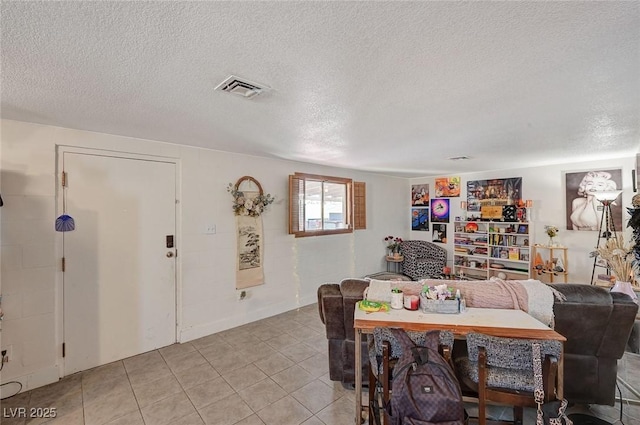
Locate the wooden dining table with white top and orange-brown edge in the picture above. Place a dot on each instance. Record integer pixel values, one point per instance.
(489, 321)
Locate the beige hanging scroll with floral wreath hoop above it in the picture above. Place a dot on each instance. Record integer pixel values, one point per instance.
(249, 201)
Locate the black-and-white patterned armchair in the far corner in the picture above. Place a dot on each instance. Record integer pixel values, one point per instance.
(422, 259)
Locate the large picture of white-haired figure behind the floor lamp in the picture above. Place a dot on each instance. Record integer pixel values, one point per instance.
(583, 210)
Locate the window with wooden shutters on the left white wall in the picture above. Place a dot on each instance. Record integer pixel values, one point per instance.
(322, 205)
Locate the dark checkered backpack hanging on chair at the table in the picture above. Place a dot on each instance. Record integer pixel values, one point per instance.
(425, 388)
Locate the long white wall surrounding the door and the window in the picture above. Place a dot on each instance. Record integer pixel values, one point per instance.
(294, 268)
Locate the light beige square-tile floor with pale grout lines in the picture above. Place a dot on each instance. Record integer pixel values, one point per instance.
(270, 372)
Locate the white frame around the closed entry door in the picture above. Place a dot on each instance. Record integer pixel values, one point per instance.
(60, 150)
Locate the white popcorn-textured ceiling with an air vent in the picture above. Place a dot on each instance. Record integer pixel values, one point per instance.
(391, 87)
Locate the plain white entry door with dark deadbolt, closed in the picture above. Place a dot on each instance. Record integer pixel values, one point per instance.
(119, 281)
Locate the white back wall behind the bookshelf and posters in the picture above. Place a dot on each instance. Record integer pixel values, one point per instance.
(546, 187)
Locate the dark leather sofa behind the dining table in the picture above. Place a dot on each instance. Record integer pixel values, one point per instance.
(596, 323)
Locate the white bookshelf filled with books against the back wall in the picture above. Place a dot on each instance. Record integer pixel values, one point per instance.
(483, 249)
